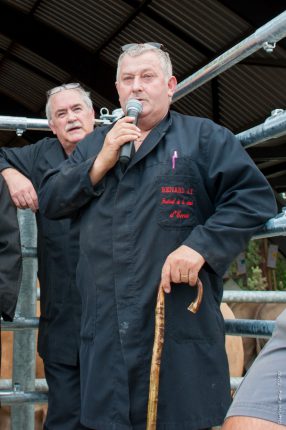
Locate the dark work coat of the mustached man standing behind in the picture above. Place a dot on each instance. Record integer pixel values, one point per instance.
(57, 249)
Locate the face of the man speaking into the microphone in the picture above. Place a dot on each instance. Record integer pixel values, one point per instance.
(142, 78)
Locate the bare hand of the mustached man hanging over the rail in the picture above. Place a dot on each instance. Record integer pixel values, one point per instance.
(21, 189)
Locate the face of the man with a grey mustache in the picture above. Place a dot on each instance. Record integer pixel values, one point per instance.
(71, 120)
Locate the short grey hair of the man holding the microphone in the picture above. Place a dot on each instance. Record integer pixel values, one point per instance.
(136, 49)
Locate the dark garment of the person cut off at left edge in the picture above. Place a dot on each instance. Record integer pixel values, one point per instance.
(10, 254)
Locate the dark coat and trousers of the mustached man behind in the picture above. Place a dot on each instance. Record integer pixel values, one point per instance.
(59, 325)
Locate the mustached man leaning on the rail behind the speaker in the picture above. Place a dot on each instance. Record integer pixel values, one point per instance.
(71, 117)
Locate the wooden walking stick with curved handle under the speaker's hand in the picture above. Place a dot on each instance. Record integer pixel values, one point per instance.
(157, 351)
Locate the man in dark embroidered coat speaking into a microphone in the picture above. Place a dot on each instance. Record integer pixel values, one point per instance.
(185, 205)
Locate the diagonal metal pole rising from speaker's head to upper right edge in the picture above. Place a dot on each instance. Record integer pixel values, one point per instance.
(265, 37)
